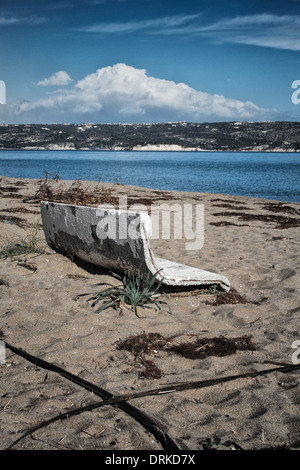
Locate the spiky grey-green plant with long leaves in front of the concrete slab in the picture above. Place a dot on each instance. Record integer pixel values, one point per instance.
(134, 292)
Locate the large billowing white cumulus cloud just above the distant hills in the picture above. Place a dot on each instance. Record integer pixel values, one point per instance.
(122, 93)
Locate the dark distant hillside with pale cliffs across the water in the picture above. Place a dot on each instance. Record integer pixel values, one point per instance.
(220, 136)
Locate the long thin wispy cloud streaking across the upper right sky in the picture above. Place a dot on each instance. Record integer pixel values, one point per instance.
(263, 29)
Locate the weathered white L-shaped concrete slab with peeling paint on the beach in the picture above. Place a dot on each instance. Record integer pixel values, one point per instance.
(116, 239)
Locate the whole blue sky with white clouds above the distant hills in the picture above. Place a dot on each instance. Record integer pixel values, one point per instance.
(129, 61)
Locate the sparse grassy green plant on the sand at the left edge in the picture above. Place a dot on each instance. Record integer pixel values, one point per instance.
(31, 243)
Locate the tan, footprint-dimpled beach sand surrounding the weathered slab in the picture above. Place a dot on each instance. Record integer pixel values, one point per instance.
(253, 242)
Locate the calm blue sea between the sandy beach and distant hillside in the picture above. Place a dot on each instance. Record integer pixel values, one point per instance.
(274, 176)
